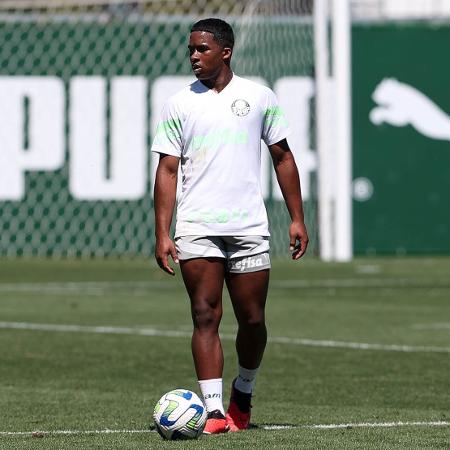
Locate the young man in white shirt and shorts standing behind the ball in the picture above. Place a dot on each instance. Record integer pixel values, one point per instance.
(214, 127)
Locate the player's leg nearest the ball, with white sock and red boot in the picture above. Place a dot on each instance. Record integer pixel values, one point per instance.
(204, 278)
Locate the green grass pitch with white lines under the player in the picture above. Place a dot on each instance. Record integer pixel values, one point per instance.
(365, 343)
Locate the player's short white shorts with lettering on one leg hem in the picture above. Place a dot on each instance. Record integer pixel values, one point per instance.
(242, 253)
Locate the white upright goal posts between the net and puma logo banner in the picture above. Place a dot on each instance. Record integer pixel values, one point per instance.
(333, 127)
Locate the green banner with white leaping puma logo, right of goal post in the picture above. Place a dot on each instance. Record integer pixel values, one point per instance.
(401, 138)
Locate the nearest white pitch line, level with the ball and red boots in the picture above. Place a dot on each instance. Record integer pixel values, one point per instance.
(331, 426)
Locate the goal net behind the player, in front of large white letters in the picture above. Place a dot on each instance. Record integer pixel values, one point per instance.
(81, 86)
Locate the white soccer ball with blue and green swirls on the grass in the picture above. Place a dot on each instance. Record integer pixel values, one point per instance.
(180, 414)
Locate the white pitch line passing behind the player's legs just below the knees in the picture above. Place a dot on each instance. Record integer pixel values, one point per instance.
(185, 334)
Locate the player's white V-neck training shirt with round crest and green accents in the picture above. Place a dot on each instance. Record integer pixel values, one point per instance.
(218, 136)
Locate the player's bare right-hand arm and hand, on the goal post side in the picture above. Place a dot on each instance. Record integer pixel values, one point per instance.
(289, 181)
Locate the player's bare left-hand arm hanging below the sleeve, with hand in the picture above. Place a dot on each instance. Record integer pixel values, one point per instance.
(164, 203)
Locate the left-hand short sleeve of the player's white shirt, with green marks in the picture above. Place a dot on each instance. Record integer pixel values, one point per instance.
(168, 138)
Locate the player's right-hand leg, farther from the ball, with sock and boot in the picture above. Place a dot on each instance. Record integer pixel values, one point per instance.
(248, 292)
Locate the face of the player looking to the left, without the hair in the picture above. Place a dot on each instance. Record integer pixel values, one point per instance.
(207, 56)
